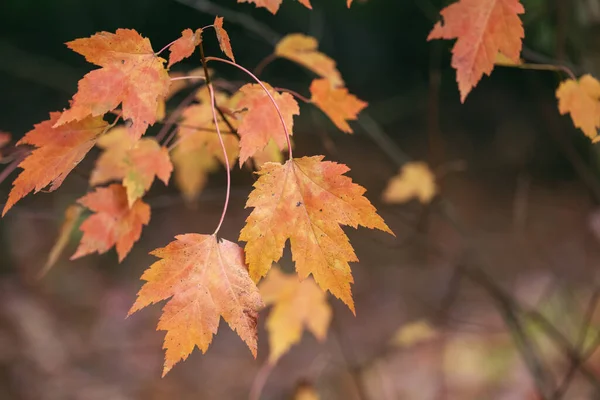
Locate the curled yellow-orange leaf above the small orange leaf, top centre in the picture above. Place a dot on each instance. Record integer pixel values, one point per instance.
(302, 49)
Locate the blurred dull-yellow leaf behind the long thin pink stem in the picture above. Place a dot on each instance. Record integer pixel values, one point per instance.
(199, 150)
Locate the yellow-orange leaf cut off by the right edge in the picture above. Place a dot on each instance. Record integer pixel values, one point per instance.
(582, 100)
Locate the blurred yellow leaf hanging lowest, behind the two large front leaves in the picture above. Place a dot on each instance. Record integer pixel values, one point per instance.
(296, 305)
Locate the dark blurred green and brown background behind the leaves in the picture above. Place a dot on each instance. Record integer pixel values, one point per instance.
(519, 176)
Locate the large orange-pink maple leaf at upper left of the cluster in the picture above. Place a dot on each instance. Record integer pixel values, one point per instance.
(131, 74)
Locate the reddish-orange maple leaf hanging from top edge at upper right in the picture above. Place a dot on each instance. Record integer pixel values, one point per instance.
(483, 28)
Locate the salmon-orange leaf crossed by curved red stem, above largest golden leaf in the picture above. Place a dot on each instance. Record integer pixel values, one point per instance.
(261, 122)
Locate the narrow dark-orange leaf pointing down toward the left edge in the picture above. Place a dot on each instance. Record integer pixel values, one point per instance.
(58, 151)
